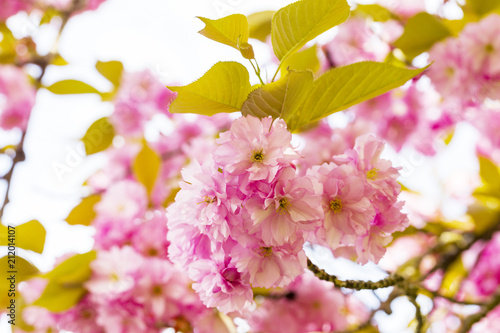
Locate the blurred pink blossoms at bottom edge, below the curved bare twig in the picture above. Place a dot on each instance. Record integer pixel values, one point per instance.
(307, 305)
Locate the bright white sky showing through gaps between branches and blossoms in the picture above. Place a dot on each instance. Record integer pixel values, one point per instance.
(160, 35)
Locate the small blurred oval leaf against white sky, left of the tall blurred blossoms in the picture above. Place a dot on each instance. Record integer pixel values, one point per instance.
(99, 136)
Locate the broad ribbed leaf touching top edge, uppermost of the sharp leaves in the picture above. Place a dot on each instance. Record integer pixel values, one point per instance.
(296, 24)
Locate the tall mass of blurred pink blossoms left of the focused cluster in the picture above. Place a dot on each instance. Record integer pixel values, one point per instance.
(134, 287)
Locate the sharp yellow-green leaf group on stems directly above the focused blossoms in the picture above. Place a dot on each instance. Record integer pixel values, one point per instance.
(299, 96)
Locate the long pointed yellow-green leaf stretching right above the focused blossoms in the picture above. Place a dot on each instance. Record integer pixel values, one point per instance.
(343, 87)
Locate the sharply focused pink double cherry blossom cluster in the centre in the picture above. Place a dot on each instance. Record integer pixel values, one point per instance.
(242, 217)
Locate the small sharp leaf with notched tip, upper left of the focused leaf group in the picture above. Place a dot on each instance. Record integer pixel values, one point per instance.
(231, 30)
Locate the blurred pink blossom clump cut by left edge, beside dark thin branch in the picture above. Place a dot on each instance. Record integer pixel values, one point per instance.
(17, 97)
